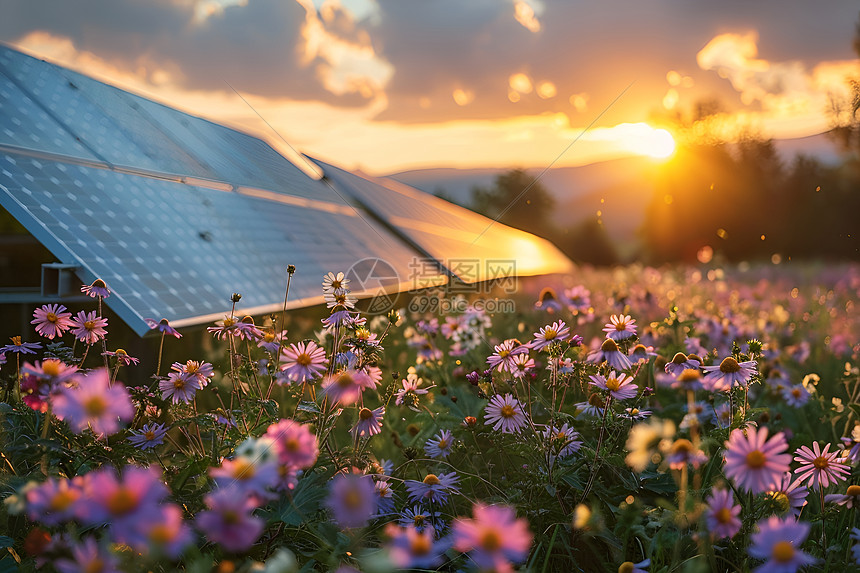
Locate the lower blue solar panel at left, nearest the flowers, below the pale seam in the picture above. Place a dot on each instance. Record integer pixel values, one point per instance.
(172, 250)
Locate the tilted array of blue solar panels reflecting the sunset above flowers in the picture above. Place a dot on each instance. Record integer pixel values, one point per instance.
(175, 212)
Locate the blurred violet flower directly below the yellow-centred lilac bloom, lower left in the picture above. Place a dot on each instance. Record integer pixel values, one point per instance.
(229, 520)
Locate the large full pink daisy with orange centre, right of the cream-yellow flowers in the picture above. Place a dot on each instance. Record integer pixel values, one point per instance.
(755, 463)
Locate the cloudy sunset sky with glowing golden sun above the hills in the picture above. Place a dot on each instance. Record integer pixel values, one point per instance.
(391, 85)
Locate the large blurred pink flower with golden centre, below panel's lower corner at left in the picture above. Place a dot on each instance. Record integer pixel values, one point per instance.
(94, 404)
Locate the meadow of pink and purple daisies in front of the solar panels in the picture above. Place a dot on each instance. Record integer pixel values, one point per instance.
(633, 419)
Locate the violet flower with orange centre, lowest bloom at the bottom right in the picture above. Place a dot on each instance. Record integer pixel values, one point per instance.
(778, 541)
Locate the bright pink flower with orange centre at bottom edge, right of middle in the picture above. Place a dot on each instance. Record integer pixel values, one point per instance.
(495, 539)
